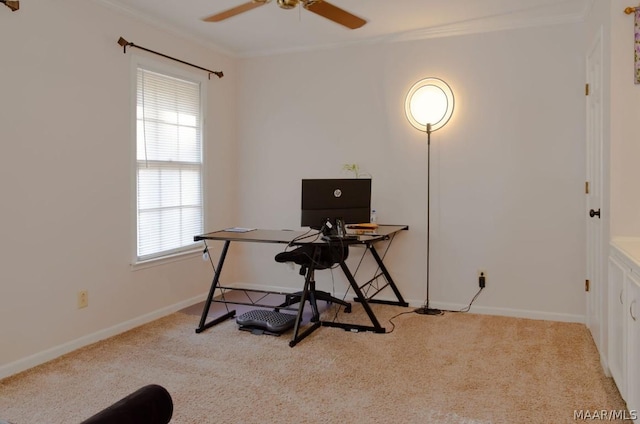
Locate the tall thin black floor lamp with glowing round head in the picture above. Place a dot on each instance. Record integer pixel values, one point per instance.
(429, 106)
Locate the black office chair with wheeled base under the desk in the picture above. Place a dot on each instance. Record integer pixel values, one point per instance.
(322, 257)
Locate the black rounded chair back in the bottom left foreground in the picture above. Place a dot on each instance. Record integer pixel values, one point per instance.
(150, 404)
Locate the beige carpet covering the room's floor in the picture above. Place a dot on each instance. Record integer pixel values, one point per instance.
(455, 368)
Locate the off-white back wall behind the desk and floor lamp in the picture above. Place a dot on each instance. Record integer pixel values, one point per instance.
(508, 170)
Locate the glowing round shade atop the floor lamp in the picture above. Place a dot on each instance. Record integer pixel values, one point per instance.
(430, 101)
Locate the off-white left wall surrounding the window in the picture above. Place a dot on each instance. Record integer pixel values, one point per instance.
(66, 180)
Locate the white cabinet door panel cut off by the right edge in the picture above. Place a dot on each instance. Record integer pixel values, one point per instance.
(633, 341)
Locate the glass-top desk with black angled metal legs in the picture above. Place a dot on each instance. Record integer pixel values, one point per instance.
(367, 239)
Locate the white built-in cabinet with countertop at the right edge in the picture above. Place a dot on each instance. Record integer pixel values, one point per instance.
(623, 301)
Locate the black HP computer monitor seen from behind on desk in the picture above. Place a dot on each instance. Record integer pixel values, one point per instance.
(345, 199)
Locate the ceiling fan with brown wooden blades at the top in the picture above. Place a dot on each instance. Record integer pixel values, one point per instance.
(319, 7)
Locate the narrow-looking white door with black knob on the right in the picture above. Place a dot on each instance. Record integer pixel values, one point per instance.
(593, 189)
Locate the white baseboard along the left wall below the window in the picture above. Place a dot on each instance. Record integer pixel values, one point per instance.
(57, 351)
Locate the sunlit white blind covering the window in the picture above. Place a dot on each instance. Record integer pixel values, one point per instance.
(168, 164)
